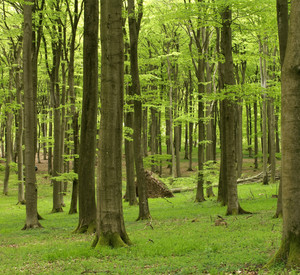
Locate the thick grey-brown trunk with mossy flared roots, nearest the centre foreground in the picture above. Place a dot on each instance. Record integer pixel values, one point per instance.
(110, 221)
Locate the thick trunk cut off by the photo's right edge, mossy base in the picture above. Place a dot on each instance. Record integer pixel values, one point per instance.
(289, 251)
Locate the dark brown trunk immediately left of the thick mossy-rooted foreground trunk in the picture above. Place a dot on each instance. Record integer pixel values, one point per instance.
(86, 171)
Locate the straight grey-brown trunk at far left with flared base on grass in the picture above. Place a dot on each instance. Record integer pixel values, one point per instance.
(29, 105)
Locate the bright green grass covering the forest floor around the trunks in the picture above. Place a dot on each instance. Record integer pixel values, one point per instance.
(184, 239)
